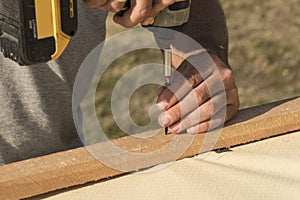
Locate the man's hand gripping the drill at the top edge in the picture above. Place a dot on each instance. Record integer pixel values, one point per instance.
(140, 11)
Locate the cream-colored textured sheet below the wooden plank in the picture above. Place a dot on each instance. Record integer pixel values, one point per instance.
(268, 169)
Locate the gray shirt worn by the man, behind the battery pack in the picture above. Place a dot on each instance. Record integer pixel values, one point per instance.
(36, 101)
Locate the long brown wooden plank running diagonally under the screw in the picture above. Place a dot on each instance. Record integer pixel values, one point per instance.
(75, 167)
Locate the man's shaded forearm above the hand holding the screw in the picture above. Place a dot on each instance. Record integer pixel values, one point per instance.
(207, 25)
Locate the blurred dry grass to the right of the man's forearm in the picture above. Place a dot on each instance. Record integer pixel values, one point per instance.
(264, 49)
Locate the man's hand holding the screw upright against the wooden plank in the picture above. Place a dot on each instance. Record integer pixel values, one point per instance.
(182, 112)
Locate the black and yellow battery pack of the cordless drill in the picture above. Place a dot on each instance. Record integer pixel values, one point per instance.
(36, 31)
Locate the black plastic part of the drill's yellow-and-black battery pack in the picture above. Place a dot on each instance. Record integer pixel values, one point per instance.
(18, 40)
